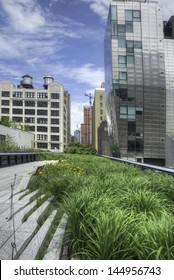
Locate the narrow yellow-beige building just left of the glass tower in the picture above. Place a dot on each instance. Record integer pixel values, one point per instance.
(98, 113)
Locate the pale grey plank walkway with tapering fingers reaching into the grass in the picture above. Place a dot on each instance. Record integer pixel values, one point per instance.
(18, 239)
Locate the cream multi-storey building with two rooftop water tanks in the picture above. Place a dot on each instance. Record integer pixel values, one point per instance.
(45, 112)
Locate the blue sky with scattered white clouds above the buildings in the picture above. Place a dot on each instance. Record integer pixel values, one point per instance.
(61, 38)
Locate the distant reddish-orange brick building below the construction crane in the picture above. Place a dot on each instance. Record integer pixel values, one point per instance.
(86, 127)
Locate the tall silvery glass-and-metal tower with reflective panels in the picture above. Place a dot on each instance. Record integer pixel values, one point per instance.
(135, 79)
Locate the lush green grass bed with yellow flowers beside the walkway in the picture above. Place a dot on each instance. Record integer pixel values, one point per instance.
(115, 210)
